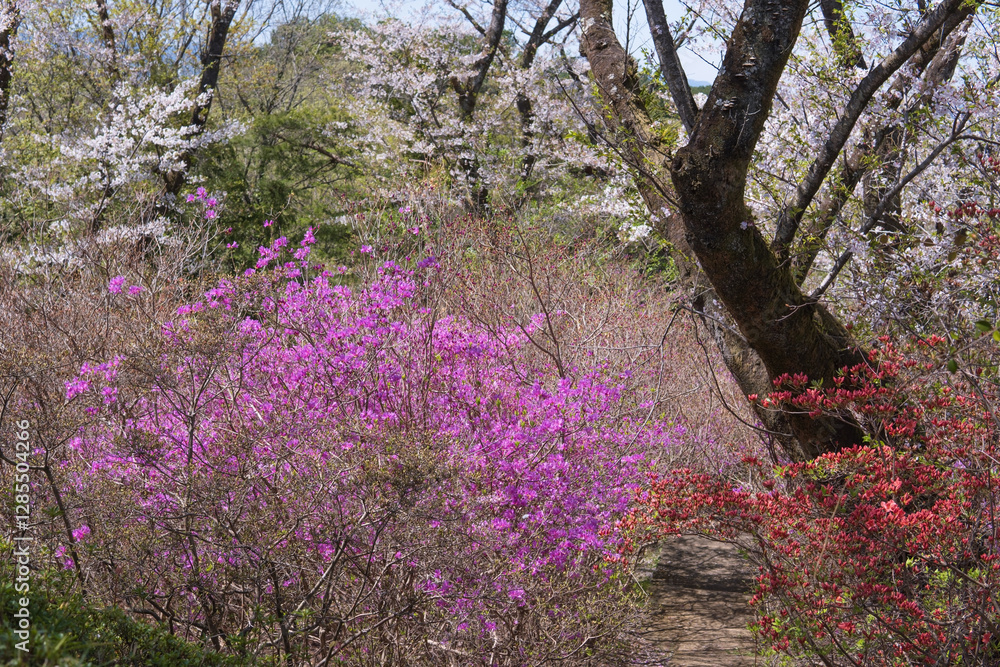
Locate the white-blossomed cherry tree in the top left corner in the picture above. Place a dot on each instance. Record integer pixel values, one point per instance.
(110, 103)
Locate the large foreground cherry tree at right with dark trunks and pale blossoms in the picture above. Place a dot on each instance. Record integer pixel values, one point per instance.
(879, 127)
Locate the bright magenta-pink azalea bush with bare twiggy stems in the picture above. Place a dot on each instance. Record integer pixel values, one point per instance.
(297, 468)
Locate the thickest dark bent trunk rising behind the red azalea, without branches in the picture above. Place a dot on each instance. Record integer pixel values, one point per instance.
(790, 333)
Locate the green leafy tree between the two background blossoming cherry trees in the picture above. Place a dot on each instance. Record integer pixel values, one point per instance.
(291, 164)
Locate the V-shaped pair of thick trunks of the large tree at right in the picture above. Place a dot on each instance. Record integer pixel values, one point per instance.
(777, 331)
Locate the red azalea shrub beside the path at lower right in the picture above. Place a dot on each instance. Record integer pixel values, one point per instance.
(882, 554)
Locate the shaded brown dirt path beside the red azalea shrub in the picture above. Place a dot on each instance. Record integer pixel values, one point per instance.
(699, 612)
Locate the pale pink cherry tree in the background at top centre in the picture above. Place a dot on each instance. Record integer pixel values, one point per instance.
(448, 91)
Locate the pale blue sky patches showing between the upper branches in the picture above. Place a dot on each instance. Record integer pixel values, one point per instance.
(697, 69)
